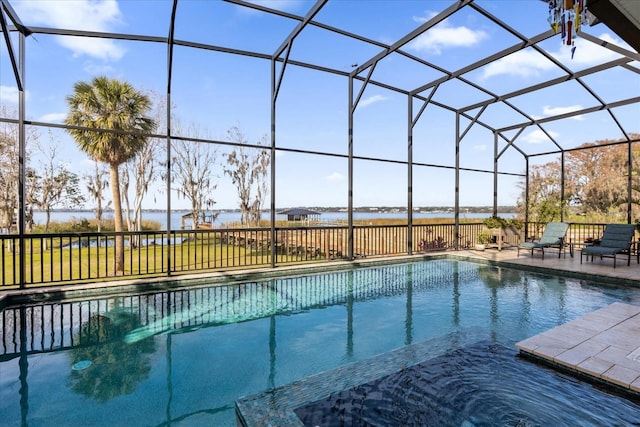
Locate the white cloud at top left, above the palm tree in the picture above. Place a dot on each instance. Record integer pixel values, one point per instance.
(89, 15)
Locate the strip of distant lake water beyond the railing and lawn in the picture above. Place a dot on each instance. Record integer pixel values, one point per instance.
(232, 216)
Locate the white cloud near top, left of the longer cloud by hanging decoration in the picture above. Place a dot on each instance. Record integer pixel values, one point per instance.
(443, 36)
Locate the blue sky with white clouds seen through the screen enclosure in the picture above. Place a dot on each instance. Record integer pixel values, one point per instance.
(213, 92)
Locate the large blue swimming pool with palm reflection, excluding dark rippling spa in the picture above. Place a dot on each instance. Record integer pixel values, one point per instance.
(185, 356)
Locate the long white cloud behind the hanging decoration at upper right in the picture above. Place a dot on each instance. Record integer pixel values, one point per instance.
(528, 63)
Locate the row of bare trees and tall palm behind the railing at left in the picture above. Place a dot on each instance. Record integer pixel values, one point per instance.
(111, 122)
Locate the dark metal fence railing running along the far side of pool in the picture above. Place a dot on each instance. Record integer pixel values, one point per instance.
(51, 259)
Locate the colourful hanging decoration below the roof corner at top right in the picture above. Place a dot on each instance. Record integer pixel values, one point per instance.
(565, 17)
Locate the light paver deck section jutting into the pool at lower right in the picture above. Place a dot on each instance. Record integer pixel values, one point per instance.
(603, 345)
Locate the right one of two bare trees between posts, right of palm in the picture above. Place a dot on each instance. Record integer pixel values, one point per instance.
(249, 170)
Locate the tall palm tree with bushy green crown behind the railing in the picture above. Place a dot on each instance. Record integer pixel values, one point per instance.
(115, 106)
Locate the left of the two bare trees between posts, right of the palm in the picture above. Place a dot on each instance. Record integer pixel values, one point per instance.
(193, 173)
